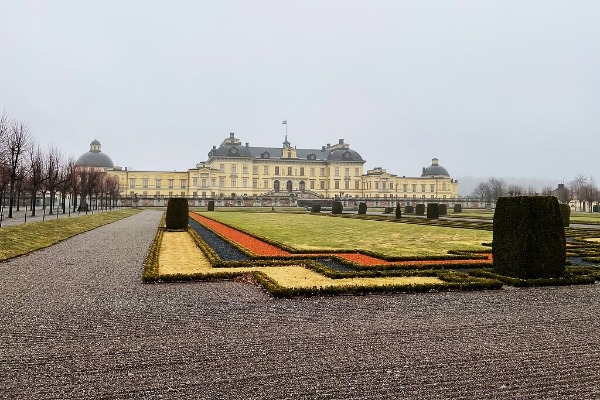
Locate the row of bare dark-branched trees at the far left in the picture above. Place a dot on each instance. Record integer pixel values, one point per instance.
(28, 173)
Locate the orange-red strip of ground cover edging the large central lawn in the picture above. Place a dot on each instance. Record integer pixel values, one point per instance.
(260, 248)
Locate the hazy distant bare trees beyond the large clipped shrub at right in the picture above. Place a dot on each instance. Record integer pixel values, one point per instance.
(581, 189)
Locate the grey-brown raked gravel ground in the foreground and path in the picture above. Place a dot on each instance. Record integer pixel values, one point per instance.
(76, 322)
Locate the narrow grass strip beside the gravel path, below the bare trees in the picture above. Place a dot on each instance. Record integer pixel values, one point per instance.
(22, 239)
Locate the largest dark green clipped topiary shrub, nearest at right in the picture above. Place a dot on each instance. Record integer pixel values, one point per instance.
(529, 238)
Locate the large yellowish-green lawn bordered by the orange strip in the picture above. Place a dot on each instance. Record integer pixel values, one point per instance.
(321, 232)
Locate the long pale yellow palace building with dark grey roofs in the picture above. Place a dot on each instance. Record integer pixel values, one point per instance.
(237, 170)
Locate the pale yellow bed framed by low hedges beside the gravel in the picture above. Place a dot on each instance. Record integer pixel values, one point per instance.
(179, 255)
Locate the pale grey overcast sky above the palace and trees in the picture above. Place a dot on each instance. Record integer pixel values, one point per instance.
(491, 88)
